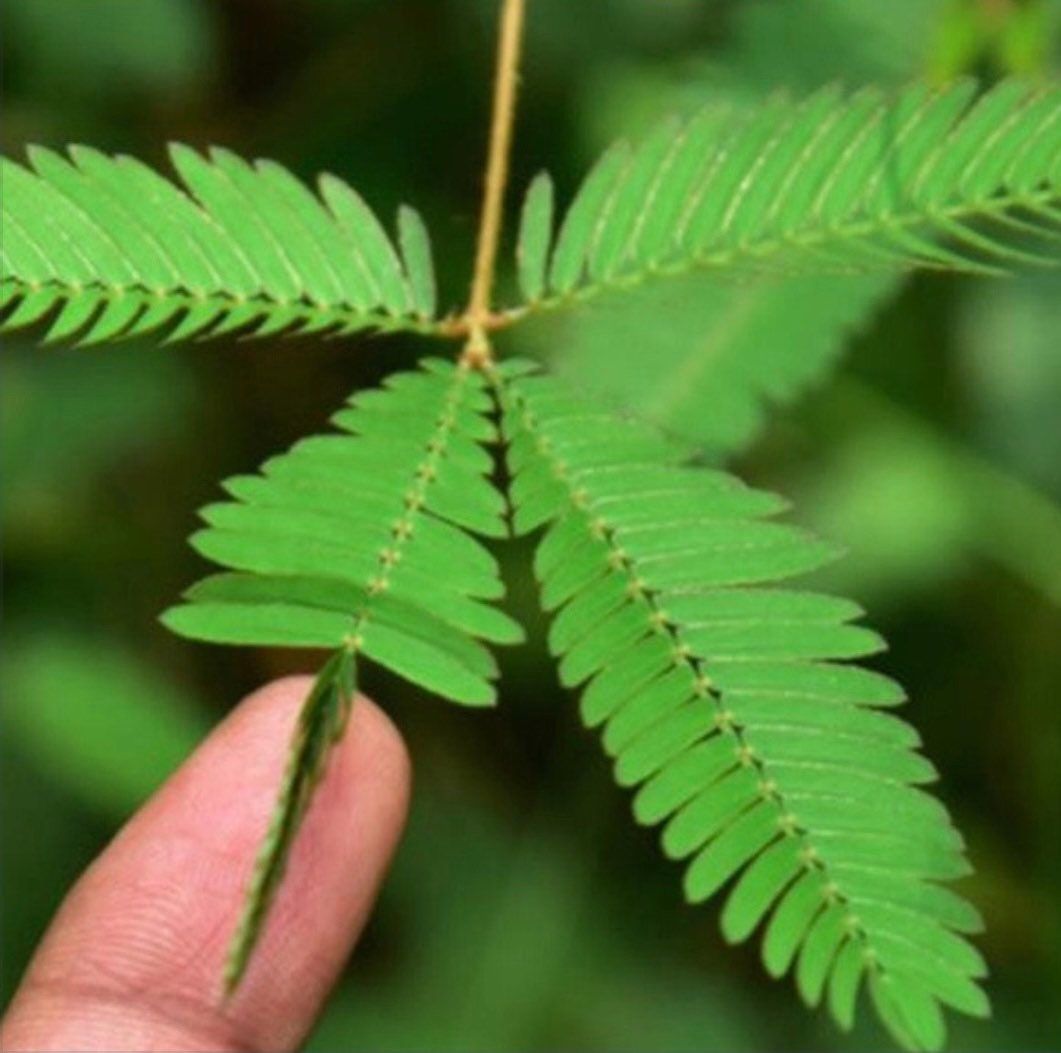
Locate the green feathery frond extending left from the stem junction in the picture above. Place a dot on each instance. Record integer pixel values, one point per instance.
(126, 253)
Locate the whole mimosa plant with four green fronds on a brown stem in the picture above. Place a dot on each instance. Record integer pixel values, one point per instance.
(728, 703)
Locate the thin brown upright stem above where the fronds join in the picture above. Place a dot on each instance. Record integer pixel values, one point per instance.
(478, 316)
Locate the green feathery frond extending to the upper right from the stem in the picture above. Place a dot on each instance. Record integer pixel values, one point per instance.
(832, 184)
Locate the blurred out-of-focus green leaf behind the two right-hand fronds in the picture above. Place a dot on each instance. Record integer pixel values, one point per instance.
(739, 349)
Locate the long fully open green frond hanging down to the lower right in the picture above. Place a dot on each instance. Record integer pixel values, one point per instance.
(729, 705)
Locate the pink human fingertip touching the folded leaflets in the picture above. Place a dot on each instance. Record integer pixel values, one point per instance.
(133, 959)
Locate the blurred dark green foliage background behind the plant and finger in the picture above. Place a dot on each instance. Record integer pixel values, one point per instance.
(526, 911)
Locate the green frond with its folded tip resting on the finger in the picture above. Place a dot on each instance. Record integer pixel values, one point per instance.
(361, 543)
